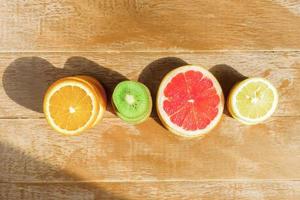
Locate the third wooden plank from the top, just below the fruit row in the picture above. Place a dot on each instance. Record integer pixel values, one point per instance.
(112, 151)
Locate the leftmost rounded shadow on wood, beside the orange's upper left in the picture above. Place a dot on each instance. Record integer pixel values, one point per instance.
(26, 80)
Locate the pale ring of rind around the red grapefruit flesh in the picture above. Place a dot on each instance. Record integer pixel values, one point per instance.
(165, 118)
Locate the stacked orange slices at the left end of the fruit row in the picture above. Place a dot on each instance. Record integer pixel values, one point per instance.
(73, 104)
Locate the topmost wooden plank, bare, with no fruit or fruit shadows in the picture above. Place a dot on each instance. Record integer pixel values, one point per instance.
(152, 25)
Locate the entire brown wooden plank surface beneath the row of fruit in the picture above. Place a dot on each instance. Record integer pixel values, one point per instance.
(113, 40)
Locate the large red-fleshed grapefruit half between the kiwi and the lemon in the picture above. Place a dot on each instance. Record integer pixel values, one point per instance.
(190, 101)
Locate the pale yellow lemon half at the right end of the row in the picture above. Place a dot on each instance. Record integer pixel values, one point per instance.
(252, 101)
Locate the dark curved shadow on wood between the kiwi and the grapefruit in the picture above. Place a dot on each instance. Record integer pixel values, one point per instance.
(153, 74)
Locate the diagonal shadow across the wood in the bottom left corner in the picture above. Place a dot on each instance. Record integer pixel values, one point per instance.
(28, 178)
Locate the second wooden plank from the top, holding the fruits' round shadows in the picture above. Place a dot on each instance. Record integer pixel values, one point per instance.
(26, 76)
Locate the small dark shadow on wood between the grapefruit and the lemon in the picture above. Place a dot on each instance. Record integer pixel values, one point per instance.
(227, 77)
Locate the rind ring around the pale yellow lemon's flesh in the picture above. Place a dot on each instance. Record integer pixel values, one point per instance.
(232, 101)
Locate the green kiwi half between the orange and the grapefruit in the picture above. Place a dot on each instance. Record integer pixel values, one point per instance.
(132, 101)
